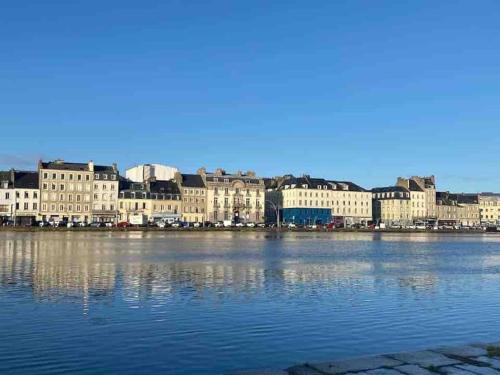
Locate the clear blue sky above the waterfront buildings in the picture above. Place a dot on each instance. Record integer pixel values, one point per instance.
(357, 90)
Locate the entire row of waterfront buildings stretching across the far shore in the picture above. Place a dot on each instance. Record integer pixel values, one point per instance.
(86, 192)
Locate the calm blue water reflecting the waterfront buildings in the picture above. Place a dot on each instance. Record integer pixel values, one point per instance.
(192, 303)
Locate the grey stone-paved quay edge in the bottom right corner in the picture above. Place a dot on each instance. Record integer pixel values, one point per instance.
(479, 359)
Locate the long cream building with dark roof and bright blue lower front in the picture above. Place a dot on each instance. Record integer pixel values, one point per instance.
(306, 200)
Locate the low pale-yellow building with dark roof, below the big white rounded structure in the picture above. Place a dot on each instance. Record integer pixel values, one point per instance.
(157, 200)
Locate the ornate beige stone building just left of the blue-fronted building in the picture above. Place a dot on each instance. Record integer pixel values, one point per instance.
(237, 197)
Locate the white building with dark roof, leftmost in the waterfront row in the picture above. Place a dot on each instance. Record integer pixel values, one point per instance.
(19, 197)
